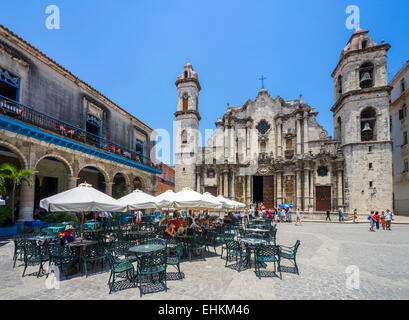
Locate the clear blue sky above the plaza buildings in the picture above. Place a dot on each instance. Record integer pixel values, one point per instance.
(132, 51)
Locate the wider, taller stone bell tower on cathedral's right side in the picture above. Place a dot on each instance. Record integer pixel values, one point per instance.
(361, 123)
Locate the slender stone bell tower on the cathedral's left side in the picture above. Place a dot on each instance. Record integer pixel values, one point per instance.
(187, 128)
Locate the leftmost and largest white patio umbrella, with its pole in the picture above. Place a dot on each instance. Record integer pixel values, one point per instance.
(82, 198)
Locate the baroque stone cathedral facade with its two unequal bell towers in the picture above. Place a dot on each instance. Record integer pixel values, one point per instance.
(275, 151)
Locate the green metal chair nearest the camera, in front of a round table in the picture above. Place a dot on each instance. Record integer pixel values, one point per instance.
(152, 264)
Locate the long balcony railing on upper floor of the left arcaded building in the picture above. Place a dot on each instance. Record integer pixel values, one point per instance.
(28, 115)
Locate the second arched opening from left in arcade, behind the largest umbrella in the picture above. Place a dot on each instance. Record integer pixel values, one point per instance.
(51, 178)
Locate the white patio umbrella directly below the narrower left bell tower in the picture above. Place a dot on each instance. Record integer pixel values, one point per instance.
(189, 199)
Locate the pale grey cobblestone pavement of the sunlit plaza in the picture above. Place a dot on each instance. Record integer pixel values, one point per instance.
(325, 253)
